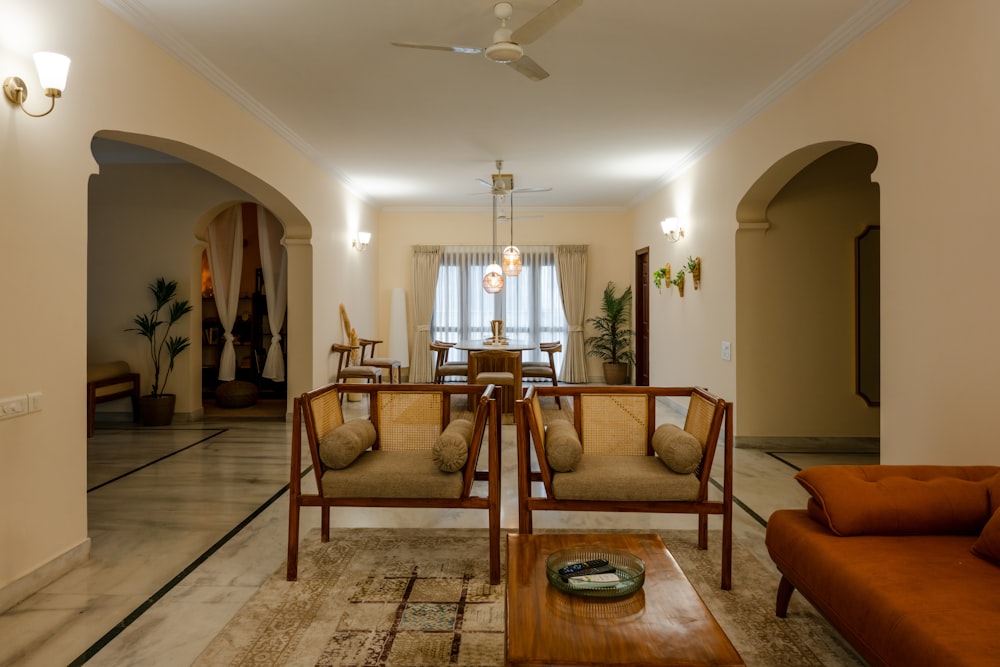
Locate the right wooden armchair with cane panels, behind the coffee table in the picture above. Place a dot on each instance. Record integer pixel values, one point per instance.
(615, 458)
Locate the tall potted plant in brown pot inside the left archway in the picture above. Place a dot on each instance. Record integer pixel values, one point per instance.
(157, 407)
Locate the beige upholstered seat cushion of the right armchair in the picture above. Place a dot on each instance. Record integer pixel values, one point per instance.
(623, 478)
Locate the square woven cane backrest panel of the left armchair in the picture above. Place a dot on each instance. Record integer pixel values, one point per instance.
(409, 420)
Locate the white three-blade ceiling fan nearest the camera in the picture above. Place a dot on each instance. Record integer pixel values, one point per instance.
(507, 45)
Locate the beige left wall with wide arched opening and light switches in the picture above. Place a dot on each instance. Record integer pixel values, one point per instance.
(122, 83)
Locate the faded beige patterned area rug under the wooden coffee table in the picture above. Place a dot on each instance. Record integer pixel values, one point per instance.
(422, 597)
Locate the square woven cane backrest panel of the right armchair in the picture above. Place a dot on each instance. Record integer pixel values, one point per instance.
(614, 424)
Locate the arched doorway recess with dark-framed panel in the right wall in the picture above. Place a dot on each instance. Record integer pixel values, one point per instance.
(795, 296)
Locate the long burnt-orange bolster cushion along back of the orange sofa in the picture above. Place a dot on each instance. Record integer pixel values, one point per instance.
(899, 500)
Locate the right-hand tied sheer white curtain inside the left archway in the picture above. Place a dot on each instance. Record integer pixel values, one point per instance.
(274, 264)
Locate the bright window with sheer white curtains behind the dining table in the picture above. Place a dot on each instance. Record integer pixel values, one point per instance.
(529, 304)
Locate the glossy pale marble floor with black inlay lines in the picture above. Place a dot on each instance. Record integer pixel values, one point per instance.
(188, 521)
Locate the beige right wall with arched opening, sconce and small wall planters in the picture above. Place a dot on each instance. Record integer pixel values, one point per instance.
(919, 89)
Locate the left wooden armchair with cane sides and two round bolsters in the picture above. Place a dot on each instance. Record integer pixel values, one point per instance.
(402, 465)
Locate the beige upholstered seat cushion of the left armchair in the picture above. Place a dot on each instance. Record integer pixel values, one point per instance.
(403, 474)
